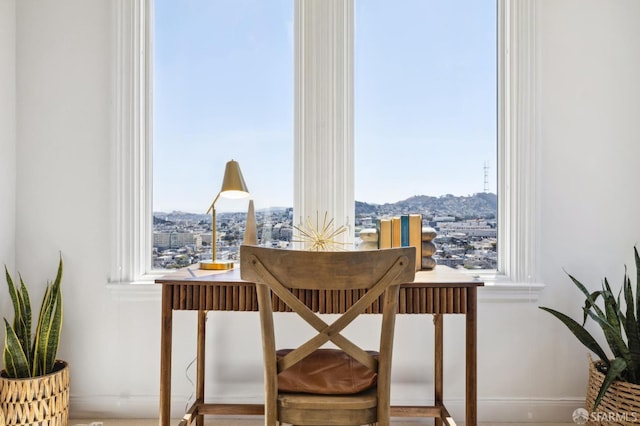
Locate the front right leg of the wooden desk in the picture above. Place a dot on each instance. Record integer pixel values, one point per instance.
(471, 355)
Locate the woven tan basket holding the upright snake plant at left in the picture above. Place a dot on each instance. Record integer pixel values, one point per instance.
(41, 401)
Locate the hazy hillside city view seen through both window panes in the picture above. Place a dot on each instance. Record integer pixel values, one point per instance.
(465, 225)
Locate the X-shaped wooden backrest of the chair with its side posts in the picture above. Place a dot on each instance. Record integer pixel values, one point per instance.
(363, 276)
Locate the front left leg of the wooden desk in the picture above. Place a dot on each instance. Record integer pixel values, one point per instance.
(165, 356)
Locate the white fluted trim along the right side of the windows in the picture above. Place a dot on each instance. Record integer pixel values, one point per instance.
(518, 153)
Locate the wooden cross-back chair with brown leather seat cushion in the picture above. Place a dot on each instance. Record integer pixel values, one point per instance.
(363, 277)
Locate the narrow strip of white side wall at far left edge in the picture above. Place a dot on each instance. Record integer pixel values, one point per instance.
(7, 132)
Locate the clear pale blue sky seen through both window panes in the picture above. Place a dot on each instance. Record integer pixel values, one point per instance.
(425, 90)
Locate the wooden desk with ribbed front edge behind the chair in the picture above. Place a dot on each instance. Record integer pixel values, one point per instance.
(437, 292)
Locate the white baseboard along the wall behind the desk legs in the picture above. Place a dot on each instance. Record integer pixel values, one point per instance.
(507, 410)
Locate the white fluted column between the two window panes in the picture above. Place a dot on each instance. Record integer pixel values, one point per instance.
(323, 134)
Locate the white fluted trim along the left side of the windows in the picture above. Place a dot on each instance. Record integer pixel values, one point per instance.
(131, 154)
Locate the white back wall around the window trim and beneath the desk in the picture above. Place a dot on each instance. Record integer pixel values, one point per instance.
(530, 367)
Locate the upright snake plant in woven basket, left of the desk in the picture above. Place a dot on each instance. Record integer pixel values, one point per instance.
(34, 385)
